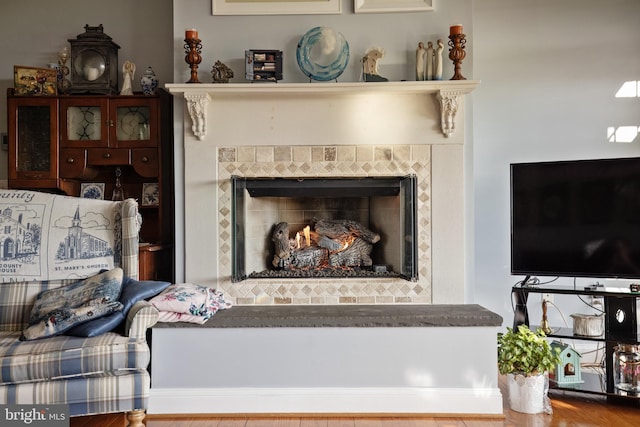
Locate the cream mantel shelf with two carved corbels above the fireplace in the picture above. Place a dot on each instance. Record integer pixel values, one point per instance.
(198, 95)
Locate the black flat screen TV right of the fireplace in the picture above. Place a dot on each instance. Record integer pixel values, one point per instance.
(576, 218)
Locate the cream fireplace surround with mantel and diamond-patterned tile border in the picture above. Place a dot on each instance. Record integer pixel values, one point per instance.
(326, 130)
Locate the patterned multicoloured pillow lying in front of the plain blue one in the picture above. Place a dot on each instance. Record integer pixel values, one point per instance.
(57, 310)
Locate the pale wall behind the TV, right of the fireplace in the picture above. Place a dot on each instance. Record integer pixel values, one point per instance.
(549, 71)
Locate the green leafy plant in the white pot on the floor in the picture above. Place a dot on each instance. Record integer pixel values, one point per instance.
(525, 352)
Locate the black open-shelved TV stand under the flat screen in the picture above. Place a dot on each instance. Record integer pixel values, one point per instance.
(617, 330)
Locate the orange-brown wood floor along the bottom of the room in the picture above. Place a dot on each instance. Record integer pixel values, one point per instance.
(568, 410)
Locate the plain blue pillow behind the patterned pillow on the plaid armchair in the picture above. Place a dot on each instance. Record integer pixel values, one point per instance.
(132, 292)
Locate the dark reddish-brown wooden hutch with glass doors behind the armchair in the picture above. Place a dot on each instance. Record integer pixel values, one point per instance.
(67, 143)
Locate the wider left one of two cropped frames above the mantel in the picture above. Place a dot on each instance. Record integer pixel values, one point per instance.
(275, 7)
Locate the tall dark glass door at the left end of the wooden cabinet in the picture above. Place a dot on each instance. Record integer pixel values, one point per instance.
(33, 155)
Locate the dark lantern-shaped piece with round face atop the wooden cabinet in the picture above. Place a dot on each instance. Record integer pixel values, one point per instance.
(94, 62)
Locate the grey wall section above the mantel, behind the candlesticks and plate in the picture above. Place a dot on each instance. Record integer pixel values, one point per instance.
(225, 38)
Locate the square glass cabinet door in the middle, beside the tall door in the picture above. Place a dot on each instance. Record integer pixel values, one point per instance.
(84, 122)
